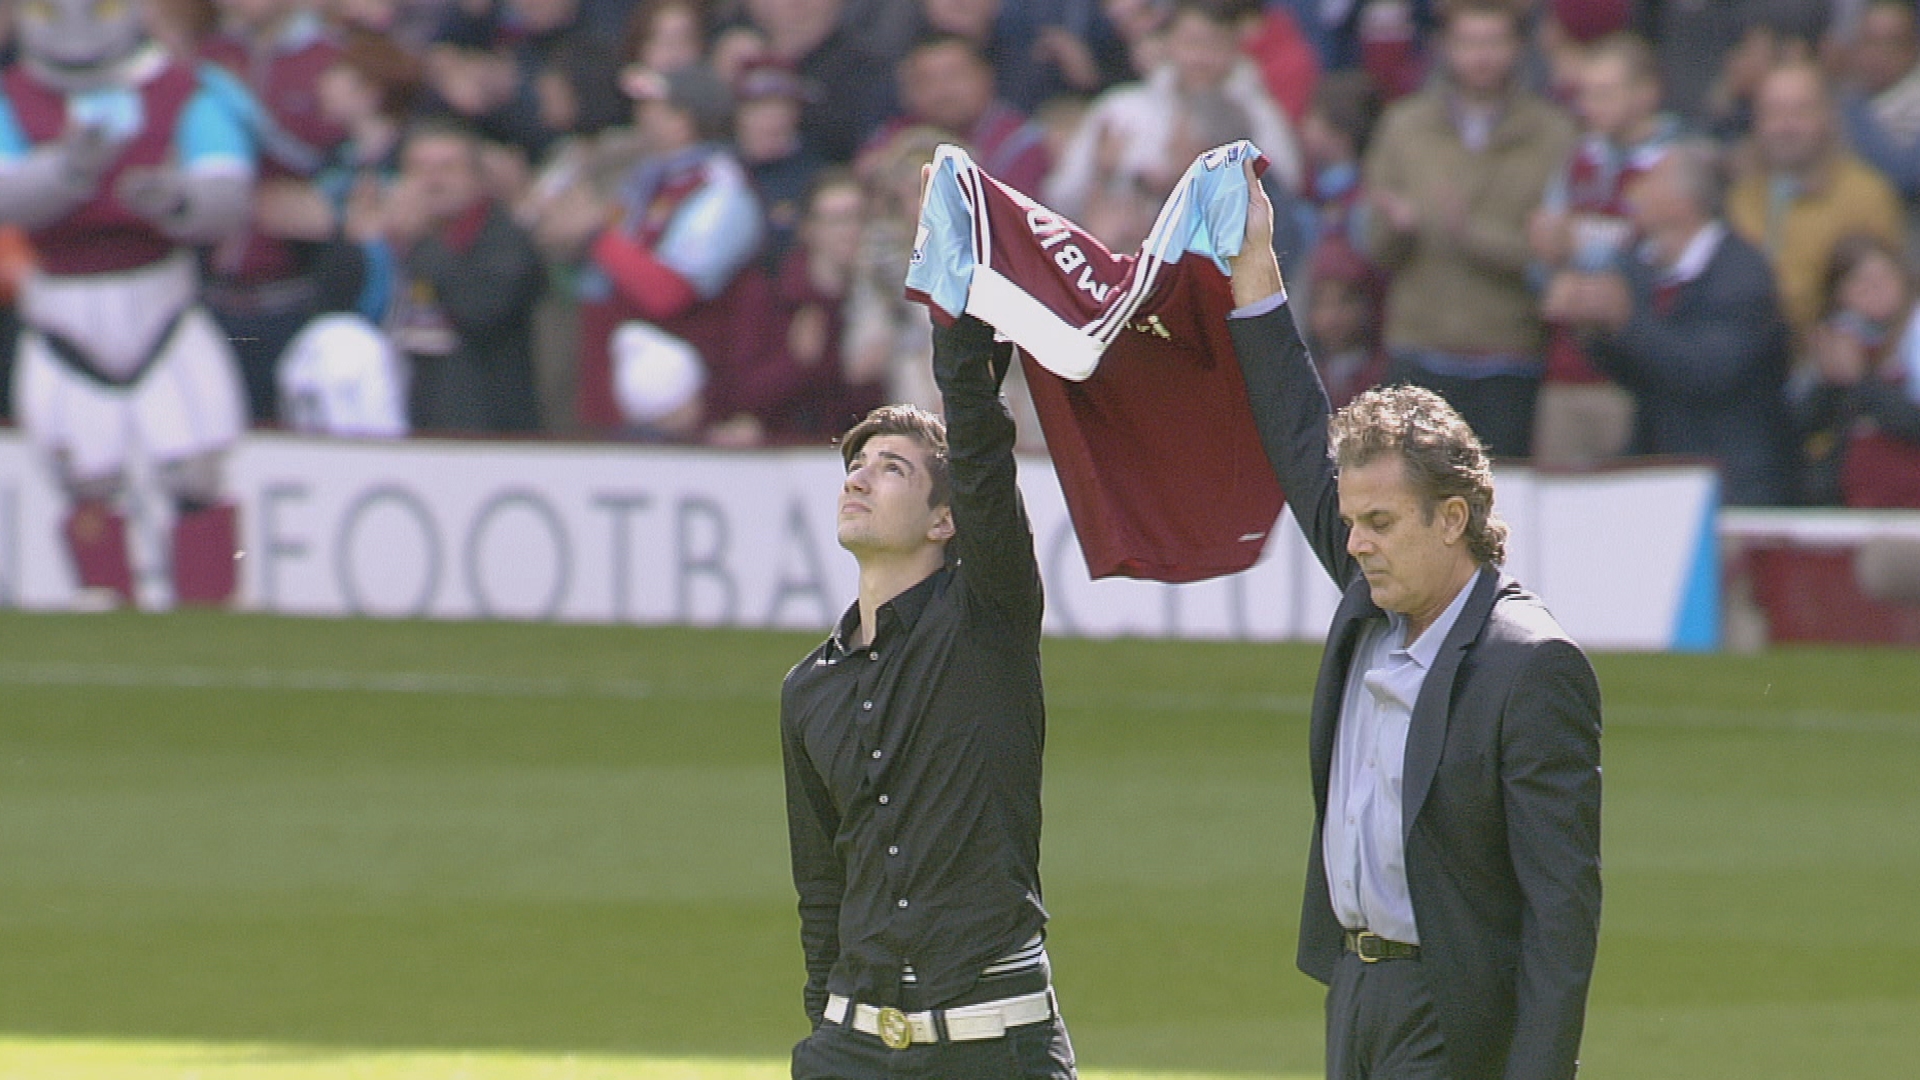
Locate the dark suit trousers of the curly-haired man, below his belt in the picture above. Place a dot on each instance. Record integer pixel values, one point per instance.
(1381, 1023)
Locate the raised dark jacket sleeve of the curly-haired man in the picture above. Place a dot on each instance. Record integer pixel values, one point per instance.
(1291, 414)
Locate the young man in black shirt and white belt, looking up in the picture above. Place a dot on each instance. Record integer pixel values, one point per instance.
(913, 754)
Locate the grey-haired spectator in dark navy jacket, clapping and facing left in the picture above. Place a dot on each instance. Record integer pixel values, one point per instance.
(1694, 330)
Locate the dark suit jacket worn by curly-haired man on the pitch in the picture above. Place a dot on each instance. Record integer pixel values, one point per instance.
(1502, 773)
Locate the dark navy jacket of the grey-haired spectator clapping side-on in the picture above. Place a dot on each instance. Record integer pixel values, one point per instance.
(1710, 372)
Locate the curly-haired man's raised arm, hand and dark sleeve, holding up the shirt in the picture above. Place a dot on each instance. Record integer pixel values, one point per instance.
(1289, 403)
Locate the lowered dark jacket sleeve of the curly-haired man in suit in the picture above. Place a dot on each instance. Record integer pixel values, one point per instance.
(1550, 783)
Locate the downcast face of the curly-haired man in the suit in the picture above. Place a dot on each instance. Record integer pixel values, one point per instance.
(1408, 552)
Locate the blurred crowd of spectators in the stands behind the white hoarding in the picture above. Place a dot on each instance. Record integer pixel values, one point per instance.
(1598, 228)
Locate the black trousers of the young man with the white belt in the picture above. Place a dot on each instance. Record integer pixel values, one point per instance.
(1032, 1052)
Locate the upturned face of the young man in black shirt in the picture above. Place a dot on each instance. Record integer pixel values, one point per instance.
(884, 501)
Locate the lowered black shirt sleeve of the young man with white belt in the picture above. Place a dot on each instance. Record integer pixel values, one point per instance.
(819, 877)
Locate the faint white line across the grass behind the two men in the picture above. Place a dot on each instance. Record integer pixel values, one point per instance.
(510, 687)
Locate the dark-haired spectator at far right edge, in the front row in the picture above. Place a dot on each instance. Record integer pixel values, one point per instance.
(1860, 403)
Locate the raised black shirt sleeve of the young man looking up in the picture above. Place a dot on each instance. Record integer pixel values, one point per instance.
(992, 531)
